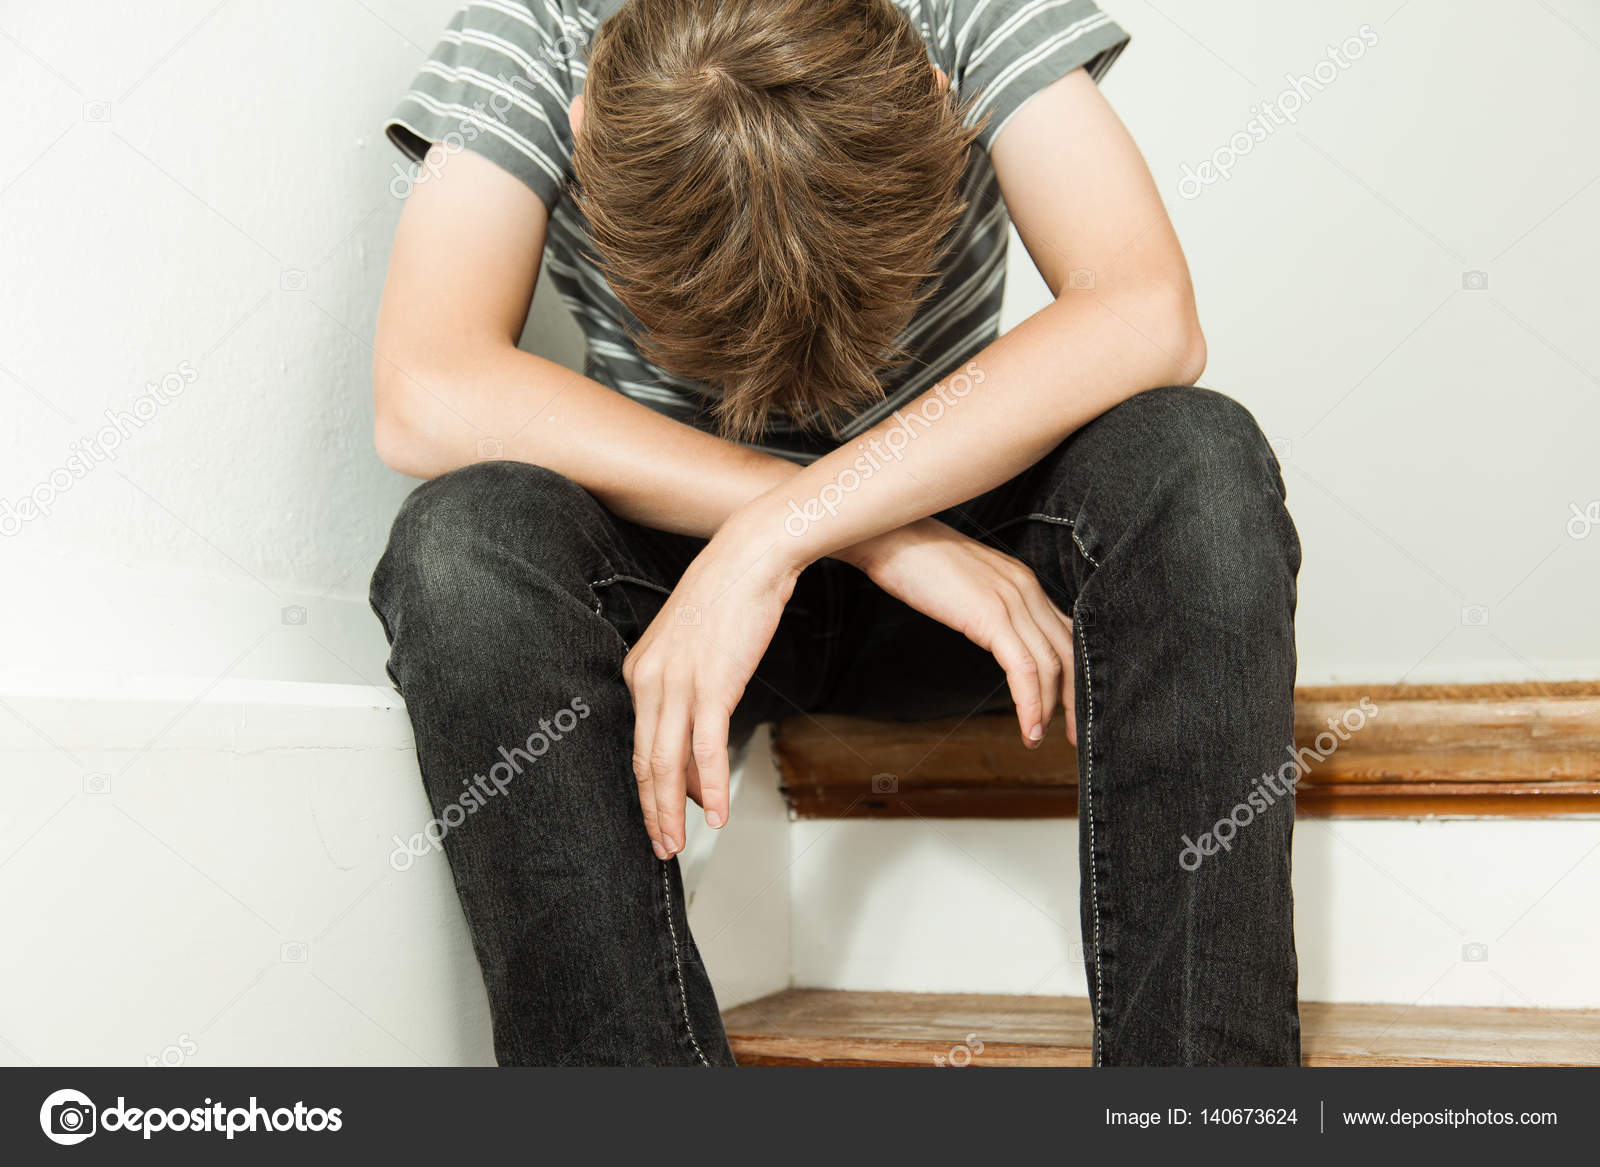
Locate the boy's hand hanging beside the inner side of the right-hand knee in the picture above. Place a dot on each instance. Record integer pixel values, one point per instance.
(990, 598)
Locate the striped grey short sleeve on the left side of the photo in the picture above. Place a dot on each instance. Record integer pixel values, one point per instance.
(500, 84)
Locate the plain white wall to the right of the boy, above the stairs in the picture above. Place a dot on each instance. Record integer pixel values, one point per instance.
(1436, 436)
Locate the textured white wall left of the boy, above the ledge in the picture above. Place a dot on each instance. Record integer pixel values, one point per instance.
(199, 188)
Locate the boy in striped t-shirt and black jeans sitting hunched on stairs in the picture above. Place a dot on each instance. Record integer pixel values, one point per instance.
(802, 473)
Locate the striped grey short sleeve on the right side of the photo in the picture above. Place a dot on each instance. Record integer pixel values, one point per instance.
(1009, 50)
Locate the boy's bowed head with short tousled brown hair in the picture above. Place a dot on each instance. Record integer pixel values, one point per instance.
(767, 183)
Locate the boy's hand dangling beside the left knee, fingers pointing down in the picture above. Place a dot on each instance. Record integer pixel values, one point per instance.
(690, 668)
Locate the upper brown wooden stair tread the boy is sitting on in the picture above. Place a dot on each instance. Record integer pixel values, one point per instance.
(1430, 750)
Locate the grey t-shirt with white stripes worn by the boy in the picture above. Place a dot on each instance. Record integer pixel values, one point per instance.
(506, 71)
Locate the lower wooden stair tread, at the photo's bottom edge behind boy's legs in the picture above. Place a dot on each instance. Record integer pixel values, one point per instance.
(842, 1029)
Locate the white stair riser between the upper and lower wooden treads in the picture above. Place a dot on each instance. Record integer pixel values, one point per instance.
(1417, 913)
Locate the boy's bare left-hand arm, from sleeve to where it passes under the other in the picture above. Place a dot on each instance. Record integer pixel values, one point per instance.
(447, 372)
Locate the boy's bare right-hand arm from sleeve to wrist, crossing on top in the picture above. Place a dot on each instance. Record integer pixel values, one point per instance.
(1122, 321)
